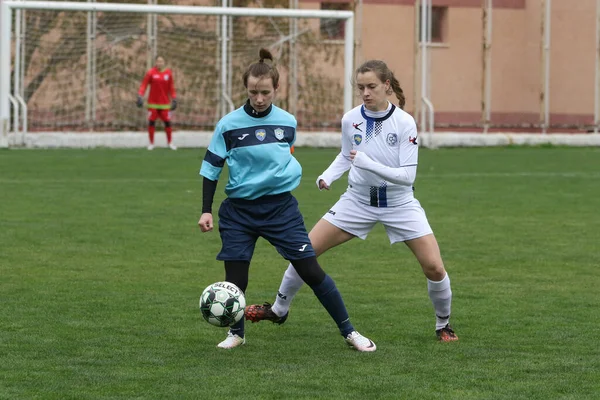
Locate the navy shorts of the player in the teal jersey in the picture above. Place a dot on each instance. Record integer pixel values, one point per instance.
(276, 218)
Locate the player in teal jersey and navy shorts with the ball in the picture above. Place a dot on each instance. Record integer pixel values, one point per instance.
(256, 142)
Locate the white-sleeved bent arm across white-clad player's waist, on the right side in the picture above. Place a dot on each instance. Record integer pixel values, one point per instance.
(408, 153)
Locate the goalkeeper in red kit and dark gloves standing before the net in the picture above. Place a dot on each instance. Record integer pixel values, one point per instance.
(161, 100)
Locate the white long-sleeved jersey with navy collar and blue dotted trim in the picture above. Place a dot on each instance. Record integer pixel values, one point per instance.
(390, 140)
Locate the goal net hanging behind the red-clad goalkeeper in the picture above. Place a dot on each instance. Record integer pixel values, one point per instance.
(78, 66)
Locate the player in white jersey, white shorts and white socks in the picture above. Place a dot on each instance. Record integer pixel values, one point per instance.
(380, 148)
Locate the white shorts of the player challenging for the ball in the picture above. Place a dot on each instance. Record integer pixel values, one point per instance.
(401, 223)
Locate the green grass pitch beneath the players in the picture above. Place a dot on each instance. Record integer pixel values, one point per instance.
(102, 266)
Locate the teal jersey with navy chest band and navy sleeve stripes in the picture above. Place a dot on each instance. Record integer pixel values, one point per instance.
(256, 147)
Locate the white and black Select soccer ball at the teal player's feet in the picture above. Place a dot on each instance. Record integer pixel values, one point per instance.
(222, 304)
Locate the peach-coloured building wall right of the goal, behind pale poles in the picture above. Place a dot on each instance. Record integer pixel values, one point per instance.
(387, 31)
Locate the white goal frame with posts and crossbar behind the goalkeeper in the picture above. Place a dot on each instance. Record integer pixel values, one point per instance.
(10, 96)
